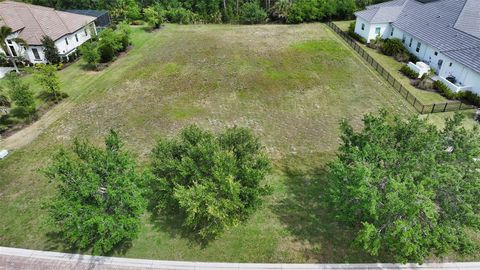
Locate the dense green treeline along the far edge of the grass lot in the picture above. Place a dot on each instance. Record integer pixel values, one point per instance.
(221, 11)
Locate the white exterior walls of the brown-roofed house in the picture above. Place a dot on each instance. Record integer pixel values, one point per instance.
(61, 44)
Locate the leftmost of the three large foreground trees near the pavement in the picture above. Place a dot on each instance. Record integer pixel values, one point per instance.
(98, 200)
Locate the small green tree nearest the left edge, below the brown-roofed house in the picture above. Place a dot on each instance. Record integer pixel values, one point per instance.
(21, 95)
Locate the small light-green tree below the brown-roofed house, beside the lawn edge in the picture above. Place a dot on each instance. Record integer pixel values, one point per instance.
(46, 76)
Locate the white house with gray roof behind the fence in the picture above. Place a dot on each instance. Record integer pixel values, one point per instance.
(445, 34)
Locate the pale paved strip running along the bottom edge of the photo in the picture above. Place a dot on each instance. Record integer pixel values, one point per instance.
(13, 258)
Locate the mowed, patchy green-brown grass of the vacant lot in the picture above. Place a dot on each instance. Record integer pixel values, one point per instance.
(291, 84)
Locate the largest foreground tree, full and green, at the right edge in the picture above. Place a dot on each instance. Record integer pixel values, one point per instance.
(406, 188)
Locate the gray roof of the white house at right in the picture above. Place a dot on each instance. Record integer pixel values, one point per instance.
(451, 26)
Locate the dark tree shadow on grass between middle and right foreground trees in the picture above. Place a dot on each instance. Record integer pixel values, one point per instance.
(308, 218)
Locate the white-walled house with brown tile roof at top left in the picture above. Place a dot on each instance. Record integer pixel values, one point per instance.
(31, 23)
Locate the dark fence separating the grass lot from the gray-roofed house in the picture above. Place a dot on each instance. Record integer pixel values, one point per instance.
(417, 104)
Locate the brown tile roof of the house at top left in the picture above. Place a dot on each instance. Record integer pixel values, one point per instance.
(36, 21)
